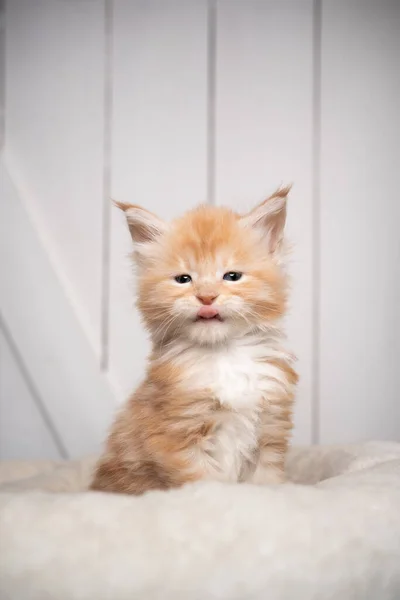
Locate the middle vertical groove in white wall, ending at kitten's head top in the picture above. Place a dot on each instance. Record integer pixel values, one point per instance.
(211, 97)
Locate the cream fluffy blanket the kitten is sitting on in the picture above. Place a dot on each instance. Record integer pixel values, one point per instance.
(332, 534)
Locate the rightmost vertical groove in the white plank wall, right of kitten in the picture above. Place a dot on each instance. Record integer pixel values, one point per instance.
(316, 224)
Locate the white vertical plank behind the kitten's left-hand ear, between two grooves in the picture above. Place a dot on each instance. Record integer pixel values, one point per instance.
(159, 143)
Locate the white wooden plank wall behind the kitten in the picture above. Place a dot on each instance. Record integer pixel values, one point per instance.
(169, 103)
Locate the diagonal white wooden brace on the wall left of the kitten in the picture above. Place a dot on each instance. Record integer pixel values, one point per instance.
(46, 332)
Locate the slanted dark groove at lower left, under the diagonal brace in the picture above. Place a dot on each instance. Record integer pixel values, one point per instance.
(33, 391)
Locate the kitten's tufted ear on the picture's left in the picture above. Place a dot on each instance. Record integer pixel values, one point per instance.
(143, 225)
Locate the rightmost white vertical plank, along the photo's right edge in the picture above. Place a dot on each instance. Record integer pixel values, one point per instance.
(360, 213)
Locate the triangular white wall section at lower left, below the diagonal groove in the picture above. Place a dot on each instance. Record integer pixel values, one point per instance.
(23, 433)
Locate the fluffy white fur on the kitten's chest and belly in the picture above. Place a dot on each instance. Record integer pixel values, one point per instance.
(240, 377)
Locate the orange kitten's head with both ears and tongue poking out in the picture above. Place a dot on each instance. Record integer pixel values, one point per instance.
(212, 274)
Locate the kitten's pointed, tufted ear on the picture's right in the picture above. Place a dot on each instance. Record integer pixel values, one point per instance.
(269, 218)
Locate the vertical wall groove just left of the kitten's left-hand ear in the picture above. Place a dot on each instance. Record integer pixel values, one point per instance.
(107, 140)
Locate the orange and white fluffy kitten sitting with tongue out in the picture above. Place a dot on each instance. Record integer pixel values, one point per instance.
(217, 397)
